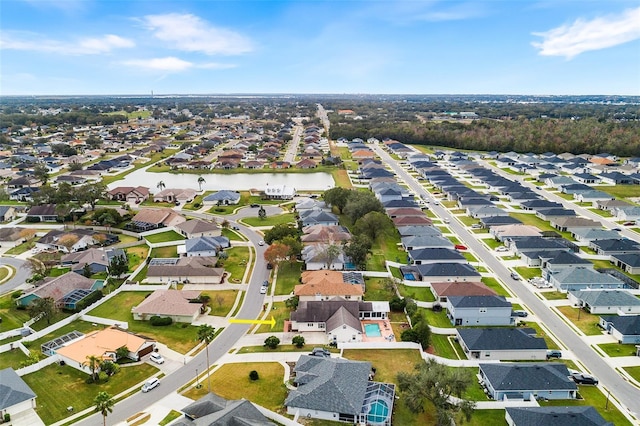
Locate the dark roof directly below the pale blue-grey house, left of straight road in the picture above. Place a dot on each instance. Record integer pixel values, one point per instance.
(497, 339)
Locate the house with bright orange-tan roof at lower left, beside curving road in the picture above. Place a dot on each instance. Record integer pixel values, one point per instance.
(103, 344)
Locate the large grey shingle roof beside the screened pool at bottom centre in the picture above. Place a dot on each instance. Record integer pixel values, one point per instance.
(330, 384)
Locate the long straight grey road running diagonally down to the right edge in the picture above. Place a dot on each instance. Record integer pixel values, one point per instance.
(627, 394)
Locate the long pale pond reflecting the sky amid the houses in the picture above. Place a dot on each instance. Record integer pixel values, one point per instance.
(235, 182)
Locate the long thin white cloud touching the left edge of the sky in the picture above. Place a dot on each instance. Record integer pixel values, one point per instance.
(87, 46)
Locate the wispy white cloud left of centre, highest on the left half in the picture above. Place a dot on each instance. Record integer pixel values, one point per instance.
(190, 33)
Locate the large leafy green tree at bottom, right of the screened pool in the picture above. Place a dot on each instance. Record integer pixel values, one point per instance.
(436, 383)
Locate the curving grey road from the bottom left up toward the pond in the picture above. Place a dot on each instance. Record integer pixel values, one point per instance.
(251, 308)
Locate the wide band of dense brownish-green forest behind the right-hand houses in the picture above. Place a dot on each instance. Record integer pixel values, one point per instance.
(589, 135)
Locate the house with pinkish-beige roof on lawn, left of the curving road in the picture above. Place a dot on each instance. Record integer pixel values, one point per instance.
(179, 305)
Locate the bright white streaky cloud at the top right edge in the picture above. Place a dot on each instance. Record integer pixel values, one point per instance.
(583, 36)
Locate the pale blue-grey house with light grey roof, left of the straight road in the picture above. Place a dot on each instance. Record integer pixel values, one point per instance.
(479, 310)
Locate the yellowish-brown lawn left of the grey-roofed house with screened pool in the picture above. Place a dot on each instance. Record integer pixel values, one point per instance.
(268, 391)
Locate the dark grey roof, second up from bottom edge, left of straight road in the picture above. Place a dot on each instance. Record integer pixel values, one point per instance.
(528, 376)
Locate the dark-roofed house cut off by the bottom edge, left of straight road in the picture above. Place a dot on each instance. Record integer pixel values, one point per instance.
(554, 415)
